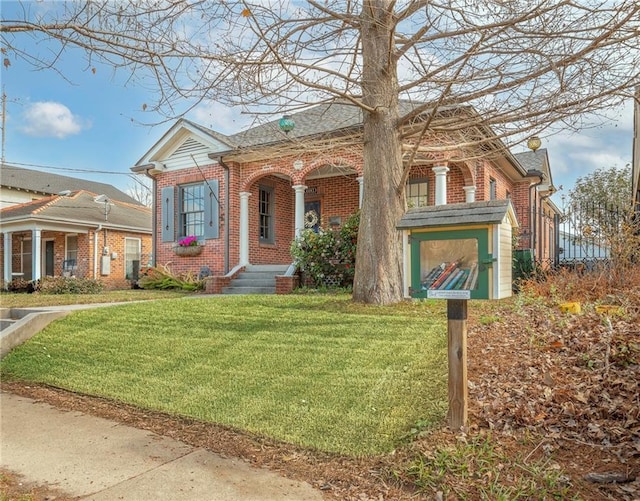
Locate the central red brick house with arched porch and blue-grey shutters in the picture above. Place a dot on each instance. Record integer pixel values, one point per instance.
(246, 196)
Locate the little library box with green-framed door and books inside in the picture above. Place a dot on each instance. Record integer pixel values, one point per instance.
(460, 251)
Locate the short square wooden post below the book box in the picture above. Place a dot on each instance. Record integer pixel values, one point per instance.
(457, 342)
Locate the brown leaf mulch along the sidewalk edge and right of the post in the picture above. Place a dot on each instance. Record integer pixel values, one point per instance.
(569, 384)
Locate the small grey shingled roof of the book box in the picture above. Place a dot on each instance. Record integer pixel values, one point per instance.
(489, 212)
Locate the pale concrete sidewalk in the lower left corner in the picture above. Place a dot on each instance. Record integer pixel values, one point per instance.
(101, 460)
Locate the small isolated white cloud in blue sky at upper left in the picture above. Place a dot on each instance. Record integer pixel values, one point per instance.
(51, 119)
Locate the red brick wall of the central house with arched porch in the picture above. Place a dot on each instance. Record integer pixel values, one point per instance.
(338, 196)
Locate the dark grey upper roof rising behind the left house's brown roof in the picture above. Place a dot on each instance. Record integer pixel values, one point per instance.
(45, 183)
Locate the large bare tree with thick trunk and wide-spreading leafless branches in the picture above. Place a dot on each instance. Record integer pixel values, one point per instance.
(524, 66)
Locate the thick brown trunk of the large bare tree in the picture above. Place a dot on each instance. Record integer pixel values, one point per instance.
(378, 277)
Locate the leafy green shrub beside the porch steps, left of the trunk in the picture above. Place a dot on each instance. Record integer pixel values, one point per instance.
(328, 257)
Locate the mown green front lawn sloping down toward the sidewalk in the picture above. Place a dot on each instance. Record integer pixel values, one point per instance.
(318, 371)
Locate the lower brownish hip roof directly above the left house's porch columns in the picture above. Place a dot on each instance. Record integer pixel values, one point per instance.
(80, 208)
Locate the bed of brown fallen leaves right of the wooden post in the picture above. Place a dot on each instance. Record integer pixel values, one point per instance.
(571, 379)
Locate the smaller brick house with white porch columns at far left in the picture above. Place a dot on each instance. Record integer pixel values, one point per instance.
(104, 235)
